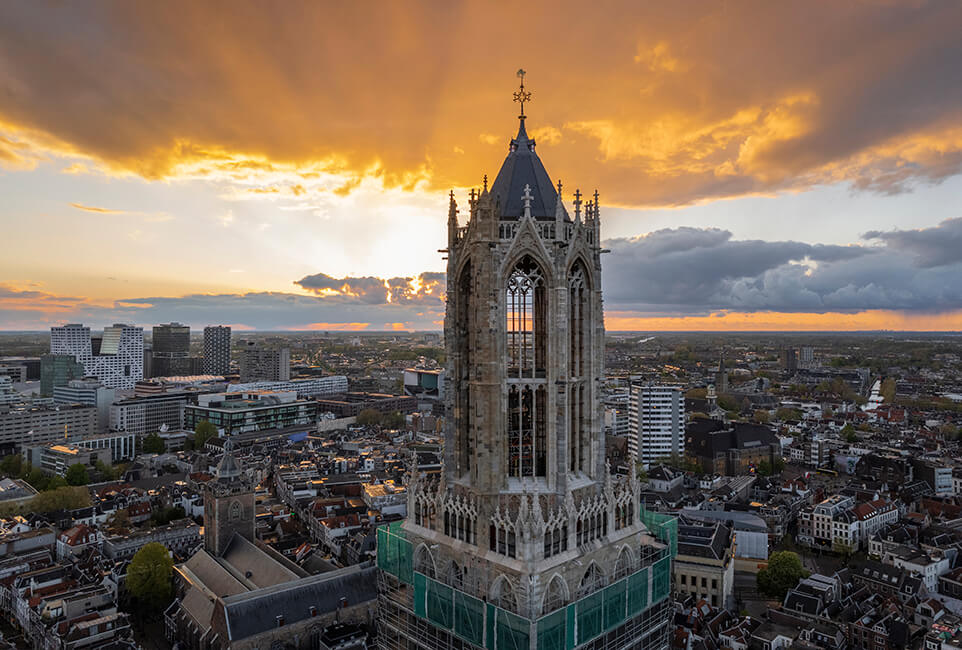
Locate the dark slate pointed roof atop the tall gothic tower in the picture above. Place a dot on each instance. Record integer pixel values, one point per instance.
(523, 167)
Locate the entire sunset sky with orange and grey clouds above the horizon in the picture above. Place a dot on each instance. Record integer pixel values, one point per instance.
(761, 165)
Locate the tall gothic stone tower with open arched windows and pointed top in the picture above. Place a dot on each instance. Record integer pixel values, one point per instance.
(525, 515)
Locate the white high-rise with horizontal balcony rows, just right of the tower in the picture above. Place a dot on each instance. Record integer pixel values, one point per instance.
(656, 416)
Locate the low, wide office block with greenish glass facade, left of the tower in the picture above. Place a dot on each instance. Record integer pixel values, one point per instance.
(234, 413)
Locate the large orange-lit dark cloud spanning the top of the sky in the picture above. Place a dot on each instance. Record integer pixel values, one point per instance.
(681, 101)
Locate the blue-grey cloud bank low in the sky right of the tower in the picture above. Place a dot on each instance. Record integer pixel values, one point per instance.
(913, 271)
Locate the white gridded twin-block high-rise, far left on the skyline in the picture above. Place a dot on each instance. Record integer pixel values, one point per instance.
(117, 360)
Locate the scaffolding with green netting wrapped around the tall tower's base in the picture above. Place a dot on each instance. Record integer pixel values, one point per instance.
(431, 614)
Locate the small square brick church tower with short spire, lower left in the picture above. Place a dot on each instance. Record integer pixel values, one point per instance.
(228, 504)
